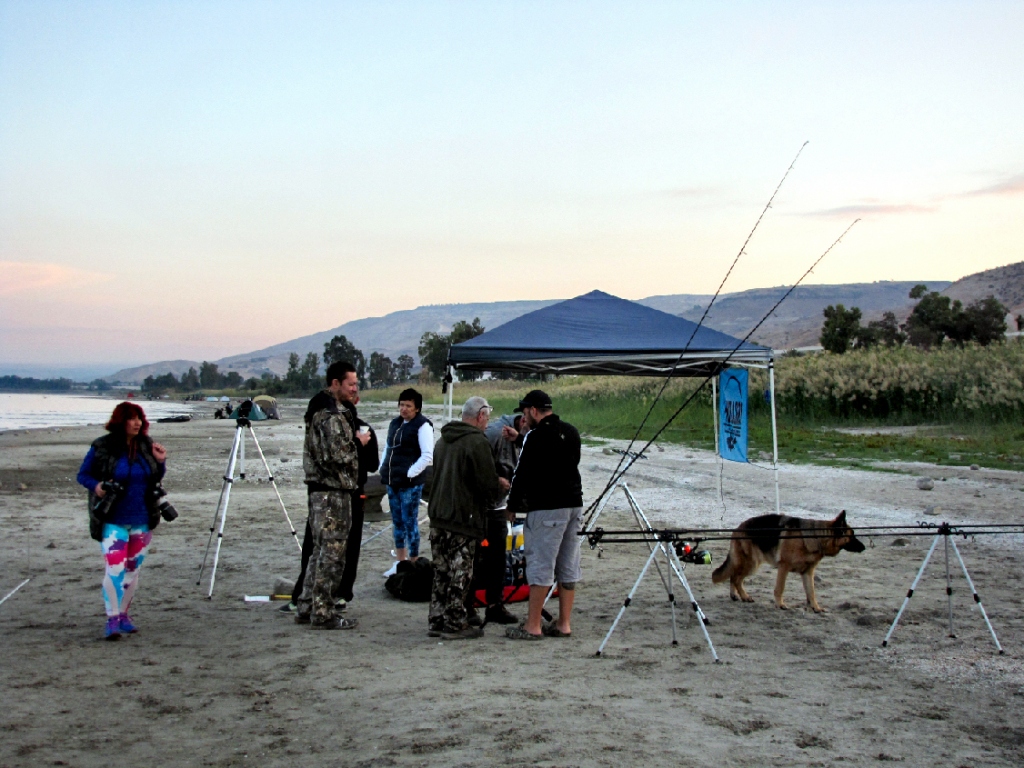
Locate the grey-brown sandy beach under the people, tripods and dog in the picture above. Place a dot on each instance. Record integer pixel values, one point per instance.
(224, 682)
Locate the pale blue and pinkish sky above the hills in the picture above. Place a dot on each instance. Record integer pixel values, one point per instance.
(196, 180)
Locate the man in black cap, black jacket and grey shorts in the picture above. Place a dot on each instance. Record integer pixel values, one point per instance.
(548, 489)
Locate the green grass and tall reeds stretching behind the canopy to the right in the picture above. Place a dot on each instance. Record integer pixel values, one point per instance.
(960, 406)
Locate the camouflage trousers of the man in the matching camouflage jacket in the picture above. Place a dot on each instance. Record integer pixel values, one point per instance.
(330, 522)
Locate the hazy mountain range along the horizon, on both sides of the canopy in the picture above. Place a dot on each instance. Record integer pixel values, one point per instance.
(796, 324)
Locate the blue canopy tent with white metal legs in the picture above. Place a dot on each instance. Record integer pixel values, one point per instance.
(601, 334)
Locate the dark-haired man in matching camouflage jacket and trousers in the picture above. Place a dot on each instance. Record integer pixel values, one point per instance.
(330, 460)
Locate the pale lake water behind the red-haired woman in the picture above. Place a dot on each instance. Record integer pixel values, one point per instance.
(30, 411)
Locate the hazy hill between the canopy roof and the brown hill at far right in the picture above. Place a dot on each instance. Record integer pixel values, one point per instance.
(798, 322)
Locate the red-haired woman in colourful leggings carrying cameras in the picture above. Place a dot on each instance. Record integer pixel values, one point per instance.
(130, 458)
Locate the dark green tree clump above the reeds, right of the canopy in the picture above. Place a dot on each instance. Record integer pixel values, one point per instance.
(934, 320)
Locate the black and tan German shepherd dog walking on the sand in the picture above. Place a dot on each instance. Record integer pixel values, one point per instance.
(796, 544)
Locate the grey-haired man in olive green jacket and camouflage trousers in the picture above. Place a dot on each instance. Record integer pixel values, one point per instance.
(465, 487)
